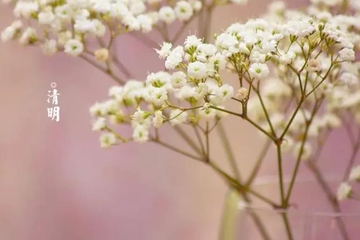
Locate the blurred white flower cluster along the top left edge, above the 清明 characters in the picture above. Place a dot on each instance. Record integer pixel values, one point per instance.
(65, 25)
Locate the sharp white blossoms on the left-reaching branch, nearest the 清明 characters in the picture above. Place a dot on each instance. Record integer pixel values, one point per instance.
(194, 82)
